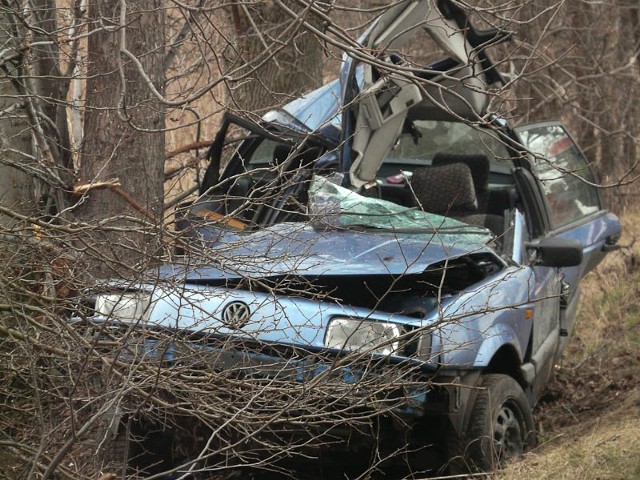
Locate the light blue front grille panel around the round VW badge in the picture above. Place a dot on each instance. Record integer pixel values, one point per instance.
(197, 314)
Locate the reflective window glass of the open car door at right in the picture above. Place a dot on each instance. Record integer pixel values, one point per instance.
(567, 179)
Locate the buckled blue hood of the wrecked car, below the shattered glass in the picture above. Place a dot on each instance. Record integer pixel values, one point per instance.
(297, 249)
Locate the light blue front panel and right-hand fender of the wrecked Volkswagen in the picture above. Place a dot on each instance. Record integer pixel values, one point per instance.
(467, 329)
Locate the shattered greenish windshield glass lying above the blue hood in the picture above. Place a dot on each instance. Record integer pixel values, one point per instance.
(333, 206)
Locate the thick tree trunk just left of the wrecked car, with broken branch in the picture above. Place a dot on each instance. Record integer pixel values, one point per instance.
(124, 137)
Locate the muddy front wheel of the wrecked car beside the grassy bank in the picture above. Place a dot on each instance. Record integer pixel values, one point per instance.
(500, 427)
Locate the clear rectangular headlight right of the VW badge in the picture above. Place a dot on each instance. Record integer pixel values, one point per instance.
(356, 334)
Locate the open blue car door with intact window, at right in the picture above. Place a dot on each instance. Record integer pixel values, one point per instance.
(574, 209)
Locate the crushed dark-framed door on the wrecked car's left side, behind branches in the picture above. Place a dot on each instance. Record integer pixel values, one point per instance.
(266, 166)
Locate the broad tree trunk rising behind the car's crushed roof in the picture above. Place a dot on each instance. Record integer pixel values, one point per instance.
(276, 58)
